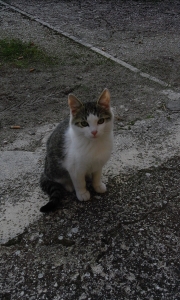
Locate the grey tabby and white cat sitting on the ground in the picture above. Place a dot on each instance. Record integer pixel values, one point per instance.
(78, 148)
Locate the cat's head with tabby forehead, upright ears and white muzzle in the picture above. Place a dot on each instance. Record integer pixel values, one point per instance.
(91, 119)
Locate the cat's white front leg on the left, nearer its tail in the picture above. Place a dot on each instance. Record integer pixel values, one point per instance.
(79, 183)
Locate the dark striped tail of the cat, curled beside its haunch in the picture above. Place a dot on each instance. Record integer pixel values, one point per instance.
(54, 190)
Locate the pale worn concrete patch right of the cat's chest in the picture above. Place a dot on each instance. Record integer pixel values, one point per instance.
(132, 153)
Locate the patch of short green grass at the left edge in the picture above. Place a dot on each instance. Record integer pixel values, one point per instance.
(22, 54)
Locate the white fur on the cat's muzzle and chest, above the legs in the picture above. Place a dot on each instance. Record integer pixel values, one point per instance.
(84, 153)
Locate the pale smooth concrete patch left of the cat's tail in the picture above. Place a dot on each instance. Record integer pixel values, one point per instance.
(20, 197)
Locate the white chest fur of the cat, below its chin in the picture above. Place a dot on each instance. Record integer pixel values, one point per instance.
(85, 154)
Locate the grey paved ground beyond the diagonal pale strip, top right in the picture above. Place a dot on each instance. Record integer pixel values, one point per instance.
(143, 34)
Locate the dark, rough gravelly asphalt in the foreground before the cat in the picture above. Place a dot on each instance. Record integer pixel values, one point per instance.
(122, 245)
